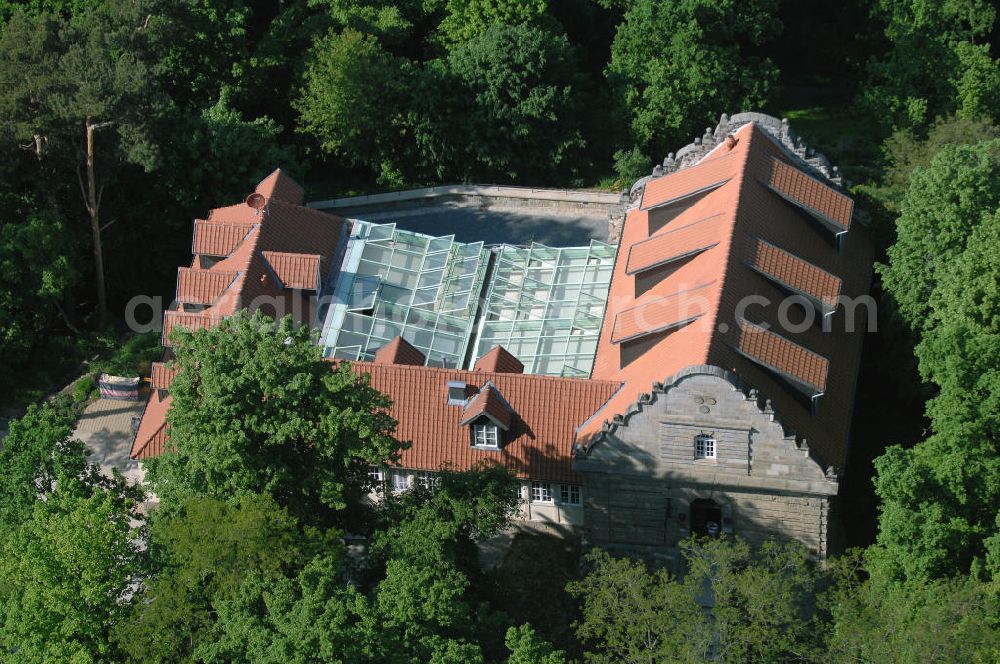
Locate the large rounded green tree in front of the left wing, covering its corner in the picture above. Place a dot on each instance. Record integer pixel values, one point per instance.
(256, 409)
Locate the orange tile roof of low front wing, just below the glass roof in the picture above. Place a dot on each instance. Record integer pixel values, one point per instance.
(539, 444)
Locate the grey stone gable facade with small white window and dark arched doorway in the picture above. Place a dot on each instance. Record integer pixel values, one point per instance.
(645, 490)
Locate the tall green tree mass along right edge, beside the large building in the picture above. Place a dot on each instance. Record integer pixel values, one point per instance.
(939, 499)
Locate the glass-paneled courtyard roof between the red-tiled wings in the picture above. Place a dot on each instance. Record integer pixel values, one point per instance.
(545, 305)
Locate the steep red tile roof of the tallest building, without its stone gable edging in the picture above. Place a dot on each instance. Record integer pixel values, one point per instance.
(736, 268)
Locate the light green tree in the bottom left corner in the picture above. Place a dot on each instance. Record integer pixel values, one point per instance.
(66, 579)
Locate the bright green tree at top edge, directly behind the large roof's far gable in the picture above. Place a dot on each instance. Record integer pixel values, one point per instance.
(676, 66)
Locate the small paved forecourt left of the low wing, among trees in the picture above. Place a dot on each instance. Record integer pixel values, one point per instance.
(106, 428)
